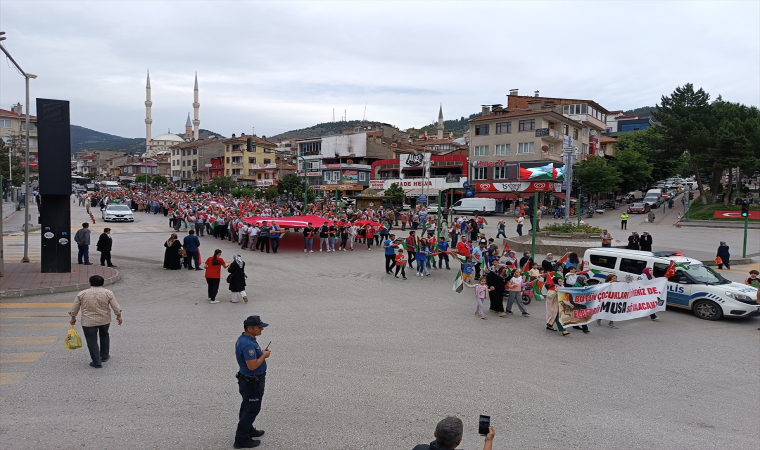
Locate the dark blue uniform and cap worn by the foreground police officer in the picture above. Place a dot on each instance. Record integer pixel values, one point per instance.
(251, 383)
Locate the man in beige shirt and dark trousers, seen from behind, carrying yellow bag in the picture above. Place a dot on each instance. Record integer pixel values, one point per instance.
(96, 304)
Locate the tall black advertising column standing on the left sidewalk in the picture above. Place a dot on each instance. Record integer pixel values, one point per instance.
(54, 140)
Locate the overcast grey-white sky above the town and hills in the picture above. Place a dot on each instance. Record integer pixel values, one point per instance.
(278, 66)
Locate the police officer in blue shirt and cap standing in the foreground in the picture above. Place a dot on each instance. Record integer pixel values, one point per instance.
(251, 377)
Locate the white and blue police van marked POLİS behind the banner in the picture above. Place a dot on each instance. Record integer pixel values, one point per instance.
(694, 286)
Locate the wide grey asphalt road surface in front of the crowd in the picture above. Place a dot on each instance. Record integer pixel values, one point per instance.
(361, 360)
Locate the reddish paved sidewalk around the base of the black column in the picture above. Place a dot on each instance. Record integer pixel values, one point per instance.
(22, 280)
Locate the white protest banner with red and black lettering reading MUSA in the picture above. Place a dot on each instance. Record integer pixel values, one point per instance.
(611, 301)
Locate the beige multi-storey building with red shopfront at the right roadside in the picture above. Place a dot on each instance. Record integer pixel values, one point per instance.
(518, 151)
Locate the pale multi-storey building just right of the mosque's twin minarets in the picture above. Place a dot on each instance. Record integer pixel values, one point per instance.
(190, 157)
